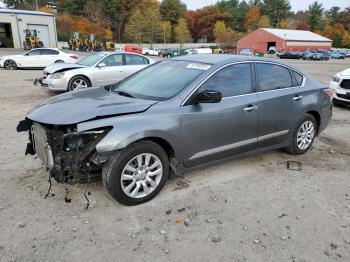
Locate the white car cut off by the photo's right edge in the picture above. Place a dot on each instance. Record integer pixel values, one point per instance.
(341, 85)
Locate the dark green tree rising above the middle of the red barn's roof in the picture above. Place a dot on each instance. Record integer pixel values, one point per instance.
(277, 10)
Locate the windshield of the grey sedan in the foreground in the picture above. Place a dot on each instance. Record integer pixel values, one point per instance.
(161, 81)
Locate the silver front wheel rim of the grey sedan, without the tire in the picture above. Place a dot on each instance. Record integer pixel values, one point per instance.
(141, 175)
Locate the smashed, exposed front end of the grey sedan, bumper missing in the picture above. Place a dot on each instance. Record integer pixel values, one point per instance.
(70, 156)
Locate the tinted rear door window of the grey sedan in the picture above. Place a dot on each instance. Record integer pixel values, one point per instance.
(272, 77)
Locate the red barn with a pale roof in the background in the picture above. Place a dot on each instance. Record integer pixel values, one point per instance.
(262, 39)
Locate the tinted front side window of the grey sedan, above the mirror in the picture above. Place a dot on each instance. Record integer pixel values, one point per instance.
(230, 81)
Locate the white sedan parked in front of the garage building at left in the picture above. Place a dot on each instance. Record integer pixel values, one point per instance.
(37, 58)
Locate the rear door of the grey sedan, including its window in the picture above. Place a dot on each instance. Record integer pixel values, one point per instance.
(280, 92)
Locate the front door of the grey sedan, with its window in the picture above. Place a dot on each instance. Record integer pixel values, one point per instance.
(215, 131)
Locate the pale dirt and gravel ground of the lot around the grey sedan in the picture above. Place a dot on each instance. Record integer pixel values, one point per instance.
(252, 209)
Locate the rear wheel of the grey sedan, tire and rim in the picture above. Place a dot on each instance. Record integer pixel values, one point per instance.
(303, 135)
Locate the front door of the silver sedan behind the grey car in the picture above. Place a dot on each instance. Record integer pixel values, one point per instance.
(111, 72)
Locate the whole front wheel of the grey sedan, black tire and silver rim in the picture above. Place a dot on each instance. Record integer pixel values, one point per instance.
(137, 173)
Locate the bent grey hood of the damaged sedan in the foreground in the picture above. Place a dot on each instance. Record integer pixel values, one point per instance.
(82, 105)
